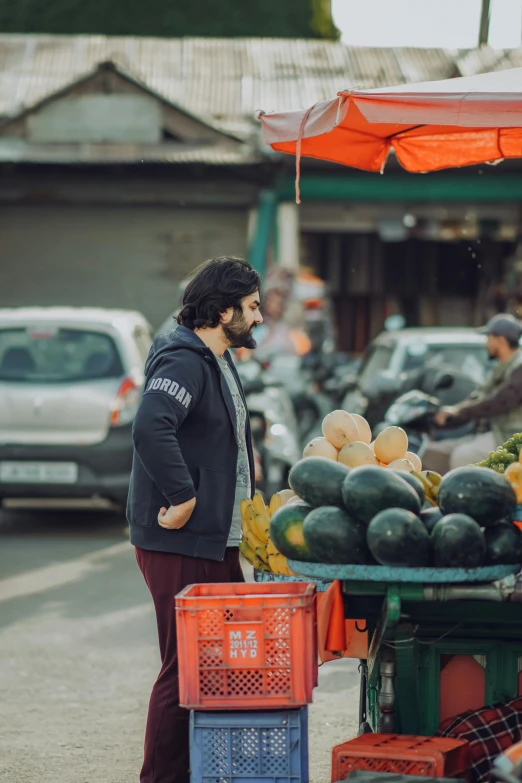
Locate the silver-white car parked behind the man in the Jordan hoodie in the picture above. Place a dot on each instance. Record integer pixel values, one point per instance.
(70, 383)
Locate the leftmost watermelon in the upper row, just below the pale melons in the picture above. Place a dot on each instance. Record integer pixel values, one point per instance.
(318, 481)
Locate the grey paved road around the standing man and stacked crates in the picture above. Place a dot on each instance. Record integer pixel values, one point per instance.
(78, 656)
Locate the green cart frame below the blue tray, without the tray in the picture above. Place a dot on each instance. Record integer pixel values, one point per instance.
(410, 630)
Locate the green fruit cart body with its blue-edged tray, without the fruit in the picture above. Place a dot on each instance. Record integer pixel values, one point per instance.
(418, 620)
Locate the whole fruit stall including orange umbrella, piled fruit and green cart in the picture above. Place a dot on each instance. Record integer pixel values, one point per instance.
(429, 563)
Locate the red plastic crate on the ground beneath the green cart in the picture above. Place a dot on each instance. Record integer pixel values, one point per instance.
(402, 754)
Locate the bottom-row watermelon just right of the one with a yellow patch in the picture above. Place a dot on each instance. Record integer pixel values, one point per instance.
(333, 536)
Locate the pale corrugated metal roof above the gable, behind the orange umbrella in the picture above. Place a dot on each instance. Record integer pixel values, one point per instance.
(225, 81)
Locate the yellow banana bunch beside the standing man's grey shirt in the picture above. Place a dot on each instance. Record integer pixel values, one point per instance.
(256, 545)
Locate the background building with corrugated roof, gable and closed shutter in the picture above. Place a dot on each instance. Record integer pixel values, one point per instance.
(126, 162)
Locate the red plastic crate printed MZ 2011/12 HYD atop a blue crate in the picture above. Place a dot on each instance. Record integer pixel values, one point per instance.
(247, 646)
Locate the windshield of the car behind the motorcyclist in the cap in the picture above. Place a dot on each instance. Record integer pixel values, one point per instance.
(472, 359)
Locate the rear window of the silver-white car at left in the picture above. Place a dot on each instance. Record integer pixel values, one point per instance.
(50, 354)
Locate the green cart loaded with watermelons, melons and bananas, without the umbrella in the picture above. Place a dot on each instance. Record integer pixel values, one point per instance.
(427, 565)
